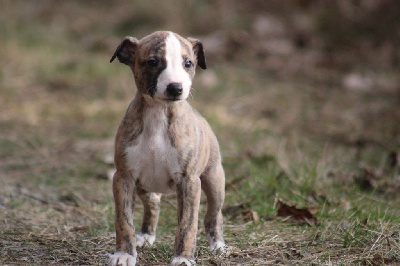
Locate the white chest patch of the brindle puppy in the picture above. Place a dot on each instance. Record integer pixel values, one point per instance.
(152, 160)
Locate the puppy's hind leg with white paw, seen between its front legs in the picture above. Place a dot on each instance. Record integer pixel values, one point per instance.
(151, 204)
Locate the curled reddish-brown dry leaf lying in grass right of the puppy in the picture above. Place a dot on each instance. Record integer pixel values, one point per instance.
(300, 215)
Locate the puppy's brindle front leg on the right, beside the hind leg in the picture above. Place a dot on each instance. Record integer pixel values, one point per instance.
(188, 196)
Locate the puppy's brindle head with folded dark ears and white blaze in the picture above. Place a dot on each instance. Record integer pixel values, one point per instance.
(162, 63)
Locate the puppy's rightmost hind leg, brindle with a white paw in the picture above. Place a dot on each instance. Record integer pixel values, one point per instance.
(213, 185)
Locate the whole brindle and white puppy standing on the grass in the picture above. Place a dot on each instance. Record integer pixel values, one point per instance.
(163, 145)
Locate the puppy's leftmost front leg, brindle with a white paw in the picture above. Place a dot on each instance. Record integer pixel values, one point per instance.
(124, 198)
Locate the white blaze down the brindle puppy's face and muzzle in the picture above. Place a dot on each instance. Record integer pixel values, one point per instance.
(175, 72)
